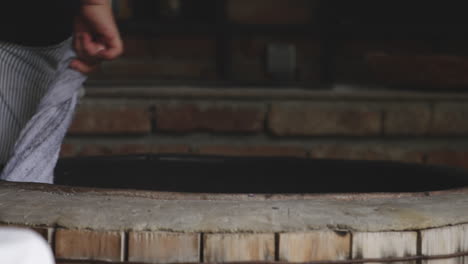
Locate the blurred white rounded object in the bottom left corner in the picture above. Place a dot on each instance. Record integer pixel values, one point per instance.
(22, 246)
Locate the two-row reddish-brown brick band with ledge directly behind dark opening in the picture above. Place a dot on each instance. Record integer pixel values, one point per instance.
(417, 128)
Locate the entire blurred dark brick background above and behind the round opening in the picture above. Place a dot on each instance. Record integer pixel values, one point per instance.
(376, 80)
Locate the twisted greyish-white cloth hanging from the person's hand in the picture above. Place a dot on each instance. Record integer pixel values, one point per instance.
(37, 146)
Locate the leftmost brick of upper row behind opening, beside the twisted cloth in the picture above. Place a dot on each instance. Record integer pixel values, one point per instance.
(111, 120)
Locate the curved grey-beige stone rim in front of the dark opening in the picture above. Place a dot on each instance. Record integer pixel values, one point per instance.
(236, 213)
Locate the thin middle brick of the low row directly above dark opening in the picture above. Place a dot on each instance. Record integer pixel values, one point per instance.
(261, 151)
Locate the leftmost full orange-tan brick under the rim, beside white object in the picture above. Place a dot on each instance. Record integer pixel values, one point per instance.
(88, 245)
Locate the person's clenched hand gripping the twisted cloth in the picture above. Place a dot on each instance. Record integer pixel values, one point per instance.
(96, 37)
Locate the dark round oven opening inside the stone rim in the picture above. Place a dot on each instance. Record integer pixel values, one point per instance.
(255, 175)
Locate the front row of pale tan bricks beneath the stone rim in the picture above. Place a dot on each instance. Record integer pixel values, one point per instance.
(95, 246)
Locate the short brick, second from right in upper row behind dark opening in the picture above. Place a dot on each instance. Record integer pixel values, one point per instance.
(405, 119)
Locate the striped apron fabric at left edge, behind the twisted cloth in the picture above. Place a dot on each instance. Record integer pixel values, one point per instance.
(25, 76)
